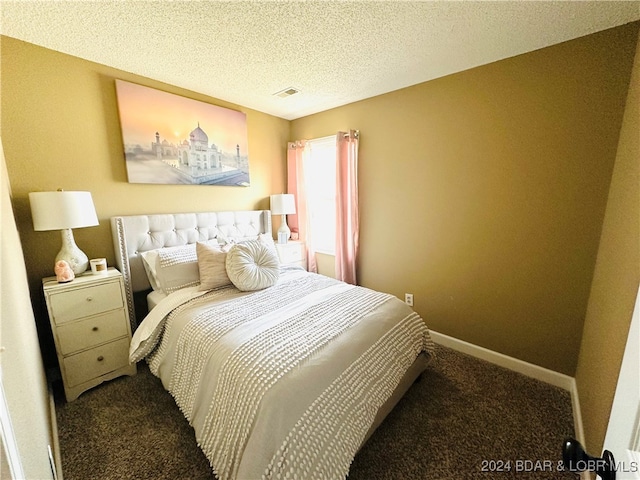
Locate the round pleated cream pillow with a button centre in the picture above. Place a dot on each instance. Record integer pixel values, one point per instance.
(252, 266)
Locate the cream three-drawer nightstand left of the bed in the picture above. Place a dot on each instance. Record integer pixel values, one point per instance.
(91, 329)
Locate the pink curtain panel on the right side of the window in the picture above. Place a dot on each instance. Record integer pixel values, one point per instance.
(347, 218)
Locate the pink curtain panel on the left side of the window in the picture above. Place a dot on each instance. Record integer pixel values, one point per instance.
(297, 153)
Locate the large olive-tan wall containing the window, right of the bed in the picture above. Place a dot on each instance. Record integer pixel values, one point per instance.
(483, 193)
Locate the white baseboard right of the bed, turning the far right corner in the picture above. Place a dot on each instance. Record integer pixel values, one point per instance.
(529, 369)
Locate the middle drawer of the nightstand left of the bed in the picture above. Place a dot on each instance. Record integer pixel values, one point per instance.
(93, 331)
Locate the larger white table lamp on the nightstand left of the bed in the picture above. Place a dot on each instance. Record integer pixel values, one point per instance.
(63, 211)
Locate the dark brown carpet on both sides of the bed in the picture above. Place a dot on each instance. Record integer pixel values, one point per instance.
(464, 419)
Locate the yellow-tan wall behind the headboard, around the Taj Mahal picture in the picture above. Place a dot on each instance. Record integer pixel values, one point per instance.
(61, 130)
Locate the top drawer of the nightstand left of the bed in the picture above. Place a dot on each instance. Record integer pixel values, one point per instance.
(87, 301)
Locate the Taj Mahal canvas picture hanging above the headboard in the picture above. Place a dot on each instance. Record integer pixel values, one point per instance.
(170, 139)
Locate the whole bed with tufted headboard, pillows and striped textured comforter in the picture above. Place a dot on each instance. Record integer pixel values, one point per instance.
(282, 373)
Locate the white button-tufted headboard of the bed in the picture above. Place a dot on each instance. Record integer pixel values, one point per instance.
(138, 233)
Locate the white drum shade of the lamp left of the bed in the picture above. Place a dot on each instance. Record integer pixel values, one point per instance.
(61, 210)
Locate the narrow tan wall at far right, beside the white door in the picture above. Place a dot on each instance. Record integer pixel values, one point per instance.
(615, 281)
